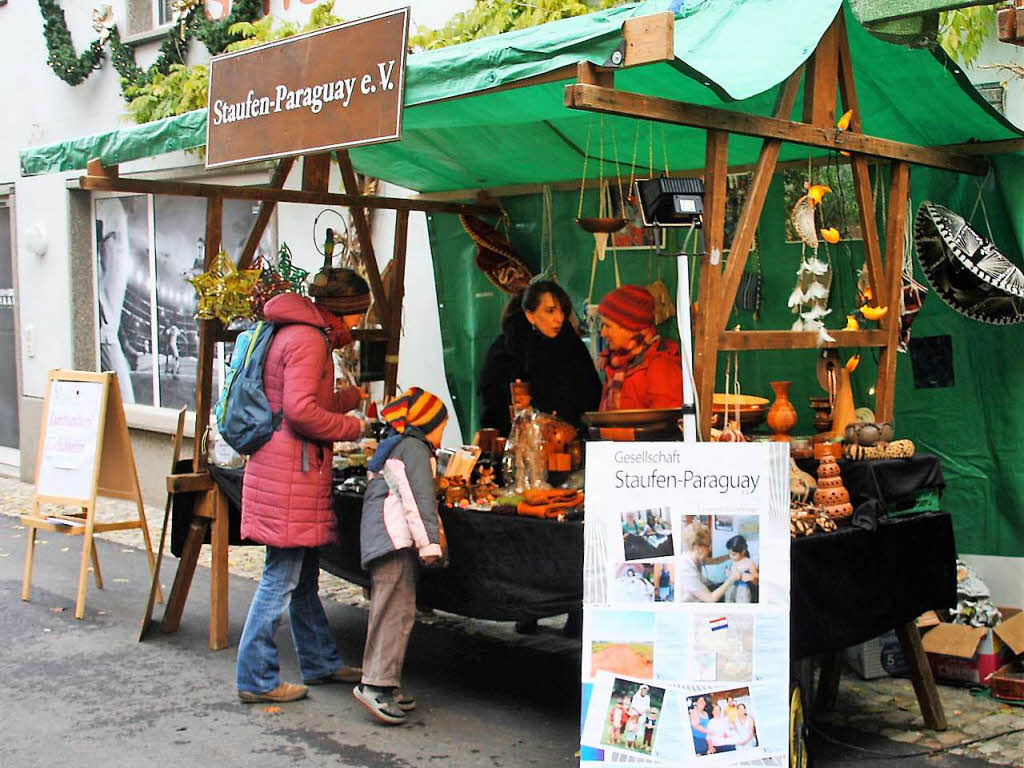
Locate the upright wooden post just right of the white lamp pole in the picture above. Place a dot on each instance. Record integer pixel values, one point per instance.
(706, 336)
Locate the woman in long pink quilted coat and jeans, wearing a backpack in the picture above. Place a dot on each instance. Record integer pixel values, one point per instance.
(286, 496)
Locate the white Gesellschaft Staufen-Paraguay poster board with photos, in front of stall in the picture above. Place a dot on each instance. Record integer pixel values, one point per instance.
(687, 605)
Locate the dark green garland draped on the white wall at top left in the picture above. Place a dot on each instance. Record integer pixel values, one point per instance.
(74, 69)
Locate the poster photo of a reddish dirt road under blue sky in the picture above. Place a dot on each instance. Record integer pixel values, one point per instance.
(621, 643)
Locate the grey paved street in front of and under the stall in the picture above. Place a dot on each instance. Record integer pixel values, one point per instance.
(88, 694)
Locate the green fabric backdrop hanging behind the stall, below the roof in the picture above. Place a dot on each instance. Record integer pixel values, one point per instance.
(973, 425)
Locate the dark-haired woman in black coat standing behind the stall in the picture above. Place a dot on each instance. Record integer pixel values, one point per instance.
(539, 346)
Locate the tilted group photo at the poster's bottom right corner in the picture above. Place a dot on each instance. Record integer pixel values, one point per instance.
(723, 721)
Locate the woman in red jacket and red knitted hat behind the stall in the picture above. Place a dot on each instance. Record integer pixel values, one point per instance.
(642, 370)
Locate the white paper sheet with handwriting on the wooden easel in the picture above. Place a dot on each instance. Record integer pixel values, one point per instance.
(69, 456)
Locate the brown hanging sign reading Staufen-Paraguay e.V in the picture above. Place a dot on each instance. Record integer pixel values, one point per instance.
(333, 89)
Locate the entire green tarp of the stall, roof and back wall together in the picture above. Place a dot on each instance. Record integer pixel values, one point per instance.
(733, 54)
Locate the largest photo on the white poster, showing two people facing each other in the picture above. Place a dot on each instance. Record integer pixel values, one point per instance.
(719, 560)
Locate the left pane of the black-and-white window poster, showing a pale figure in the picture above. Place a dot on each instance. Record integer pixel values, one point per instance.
(123, 287)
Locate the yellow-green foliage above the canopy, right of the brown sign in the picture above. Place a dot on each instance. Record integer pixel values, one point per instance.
(495, 17)
